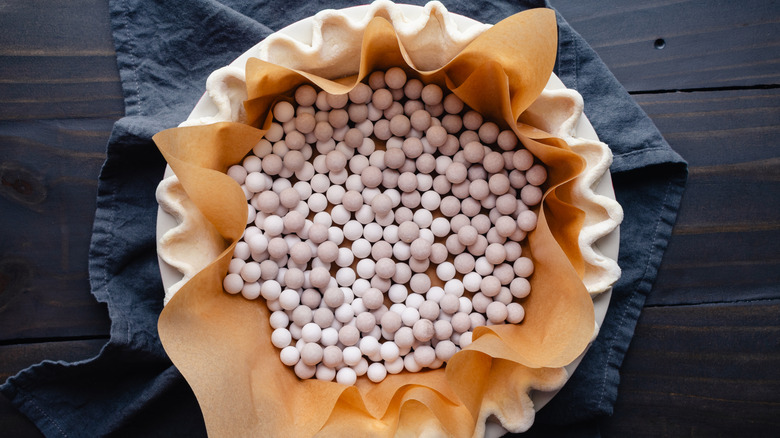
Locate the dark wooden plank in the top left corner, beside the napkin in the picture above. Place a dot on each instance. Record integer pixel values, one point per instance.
(65, 67)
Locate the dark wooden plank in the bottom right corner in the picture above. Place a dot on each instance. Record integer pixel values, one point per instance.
(704, 370)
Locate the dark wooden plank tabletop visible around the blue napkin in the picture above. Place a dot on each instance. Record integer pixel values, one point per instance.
(705, 359)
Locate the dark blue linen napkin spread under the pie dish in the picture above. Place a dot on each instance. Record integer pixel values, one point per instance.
(165, 51)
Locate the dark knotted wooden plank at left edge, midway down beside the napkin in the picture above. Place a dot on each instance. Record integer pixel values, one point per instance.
(49, 177)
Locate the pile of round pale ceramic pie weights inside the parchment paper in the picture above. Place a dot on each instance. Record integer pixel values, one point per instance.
(384, 226)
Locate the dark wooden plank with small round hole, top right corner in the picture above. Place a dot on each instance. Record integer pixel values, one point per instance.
(712, 43)
